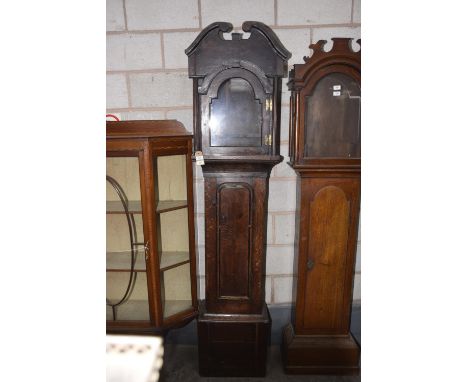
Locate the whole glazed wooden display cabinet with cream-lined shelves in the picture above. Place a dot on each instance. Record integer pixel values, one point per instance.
(150, 249)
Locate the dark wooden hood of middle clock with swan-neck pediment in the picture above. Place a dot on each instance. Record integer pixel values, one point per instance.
(261, 61)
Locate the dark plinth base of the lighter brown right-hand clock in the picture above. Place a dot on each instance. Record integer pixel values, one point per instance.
(319, 354)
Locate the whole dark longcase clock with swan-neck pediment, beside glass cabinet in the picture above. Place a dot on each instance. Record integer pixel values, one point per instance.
(237, 97)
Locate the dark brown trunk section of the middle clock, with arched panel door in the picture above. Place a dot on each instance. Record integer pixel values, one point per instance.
(241, 250)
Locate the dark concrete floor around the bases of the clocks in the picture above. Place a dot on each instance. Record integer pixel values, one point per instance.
(181, 365)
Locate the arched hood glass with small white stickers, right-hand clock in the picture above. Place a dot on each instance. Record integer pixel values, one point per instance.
(333, 118)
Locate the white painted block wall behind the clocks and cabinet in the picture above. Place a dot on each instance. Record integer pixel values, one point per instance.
(147, 78)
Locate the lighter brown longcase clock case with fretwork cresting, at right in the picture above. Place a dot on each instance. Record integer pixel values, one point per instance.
(325, 152)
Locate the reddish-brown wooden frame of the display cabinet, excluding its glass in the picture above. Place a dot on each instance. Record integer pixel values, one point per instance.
(148, 140)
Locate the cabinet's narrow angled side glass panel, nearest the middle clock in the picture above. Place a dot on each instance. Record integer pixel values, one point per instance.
(173, 233)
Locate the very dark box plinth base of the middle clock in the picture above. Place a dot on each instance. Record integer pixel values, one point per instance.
(233, 345)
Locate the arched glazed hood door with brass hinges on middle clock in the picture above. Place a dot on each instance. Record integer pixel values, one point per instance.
(237, 114)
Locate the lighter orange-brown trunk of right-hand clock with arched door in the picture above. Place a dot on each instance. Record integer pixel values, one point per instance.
(328, 222)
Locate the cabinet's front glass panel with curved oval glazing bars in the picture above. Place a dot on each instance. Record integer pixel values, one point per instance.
(126, 282)
